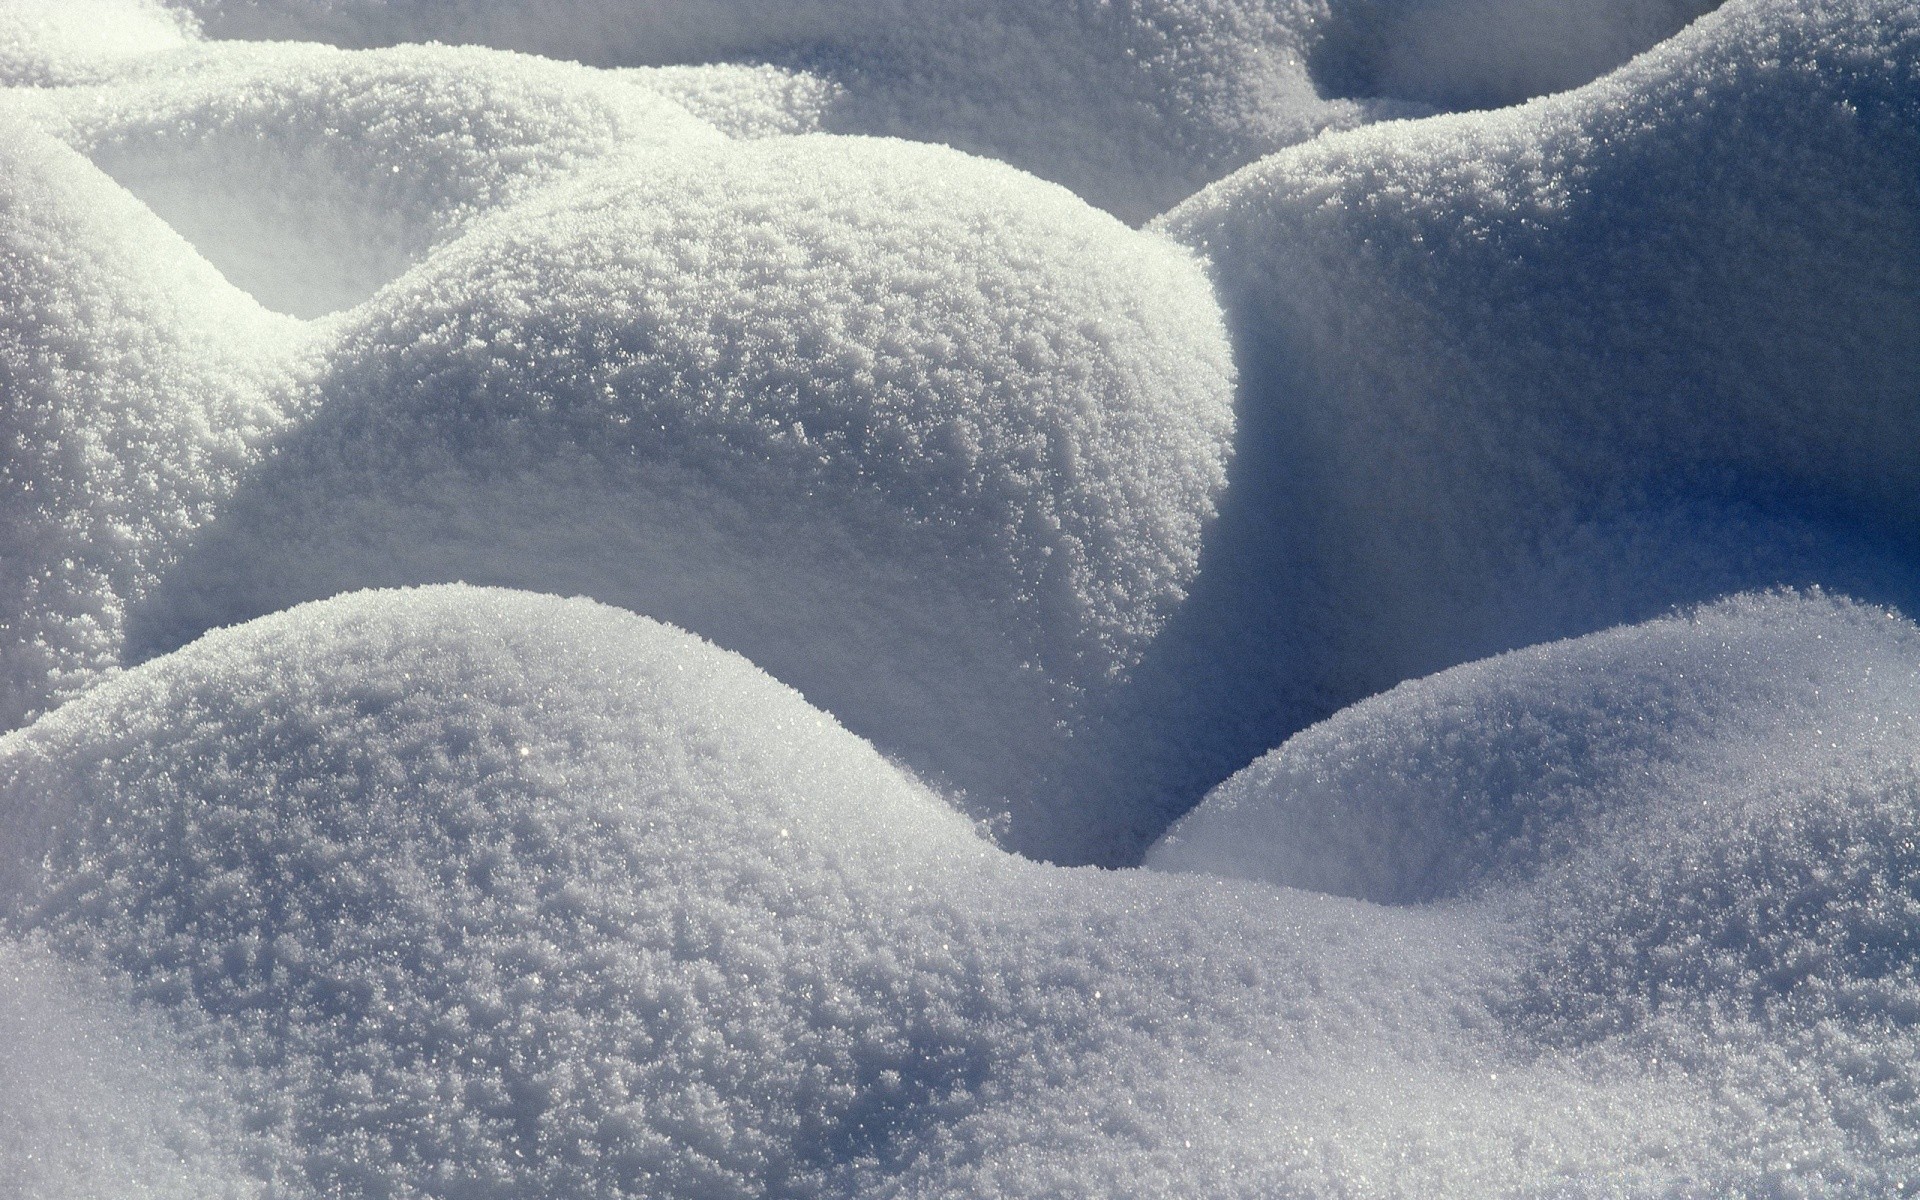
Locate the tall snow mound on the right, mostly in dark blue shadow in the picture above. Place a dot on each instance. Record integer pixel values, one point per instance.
(1531, 373)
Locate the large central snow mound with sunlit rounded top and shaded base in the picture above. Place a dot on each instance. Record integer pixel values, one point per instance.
(921, 435)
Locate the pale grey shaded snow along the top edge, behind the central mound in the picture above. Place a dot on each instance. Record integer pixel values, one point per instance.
(1132, 107)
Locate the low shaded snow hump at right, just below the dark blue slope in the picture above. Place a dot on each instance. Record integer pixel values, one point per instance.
(1493, 773)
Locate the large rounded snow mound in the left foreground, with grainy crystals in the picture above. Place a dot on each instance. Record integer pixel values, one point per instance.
(481, 892)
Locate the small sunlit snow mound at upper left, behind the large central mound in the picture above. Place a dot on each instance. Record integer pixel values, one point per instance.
(314, 176)
